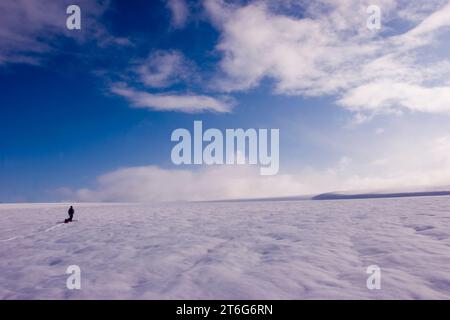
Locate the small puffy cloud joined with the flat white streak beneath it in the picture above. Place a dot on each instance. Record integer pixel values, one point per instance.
(158, 73)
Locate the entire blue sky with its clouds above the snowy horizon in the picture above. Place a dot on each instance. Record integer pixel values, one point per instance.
(86, 115)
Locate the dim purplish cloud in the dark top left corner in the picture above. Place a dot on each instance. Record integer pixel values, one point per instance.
(30, 30)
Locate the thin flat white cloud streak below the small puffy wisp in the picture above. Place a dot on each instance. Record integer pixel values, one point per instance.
(172, 102)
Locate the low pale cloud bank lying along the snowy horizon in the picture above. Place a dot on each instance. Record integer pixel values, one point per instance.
(425, 164)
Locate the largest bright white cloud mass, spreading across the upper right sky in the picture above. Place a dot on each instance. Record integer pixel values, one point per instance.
(329, 51)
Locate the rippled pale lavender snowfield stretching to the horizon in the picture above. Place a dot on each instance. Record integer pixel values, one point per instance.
(240, 250)
